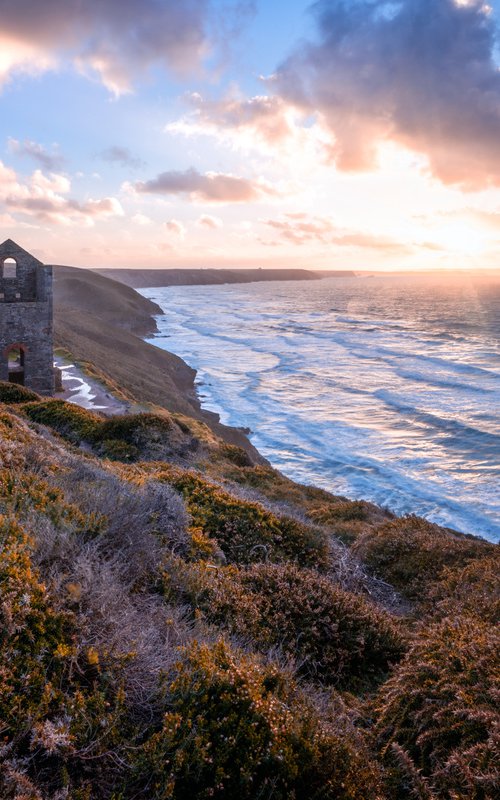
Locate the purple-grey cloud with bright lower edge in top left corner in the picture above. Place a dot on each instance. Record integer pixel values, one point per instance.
(115, 39)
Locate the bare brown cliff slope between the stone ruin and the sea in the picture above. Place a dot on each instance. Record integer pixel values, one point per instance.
(100, 322)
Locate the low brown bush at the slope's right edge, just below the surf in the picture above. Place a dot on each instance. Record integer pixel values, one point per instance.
(410, 553)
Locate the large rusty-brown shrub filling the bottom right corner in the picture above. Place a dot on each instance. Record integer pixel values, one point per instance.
(440, 709)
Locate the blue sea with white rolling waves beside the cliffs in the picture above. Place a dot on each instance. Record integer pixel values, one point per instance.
(384, 388)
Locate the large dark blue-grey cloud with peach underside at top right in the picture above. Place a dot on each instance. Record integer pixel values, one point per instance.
(421, 73)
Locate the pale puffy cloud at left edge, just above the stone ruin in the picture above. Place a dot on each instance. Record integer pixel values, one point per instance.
(42, 197)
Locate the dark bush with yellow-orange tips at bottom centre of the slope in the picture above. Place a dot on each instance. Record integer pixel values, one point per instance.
(237, 729)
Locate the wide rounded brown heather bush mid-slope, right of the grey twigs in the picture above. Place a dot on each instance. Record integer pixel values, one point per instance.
(333, 635)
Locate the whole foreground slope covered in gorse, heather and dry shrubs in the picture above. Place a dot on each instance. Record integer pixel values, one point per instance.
(180, 623)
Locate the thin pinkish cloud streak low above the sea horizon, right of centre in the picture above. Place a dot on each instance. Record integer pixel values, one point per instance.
(300, 229)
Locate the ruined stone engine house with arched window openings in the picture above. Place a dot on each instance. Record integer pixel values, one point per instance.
(26, 328)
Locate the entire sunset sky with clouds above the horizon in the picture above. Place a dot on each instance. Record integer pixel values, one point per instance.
(342, 134)
